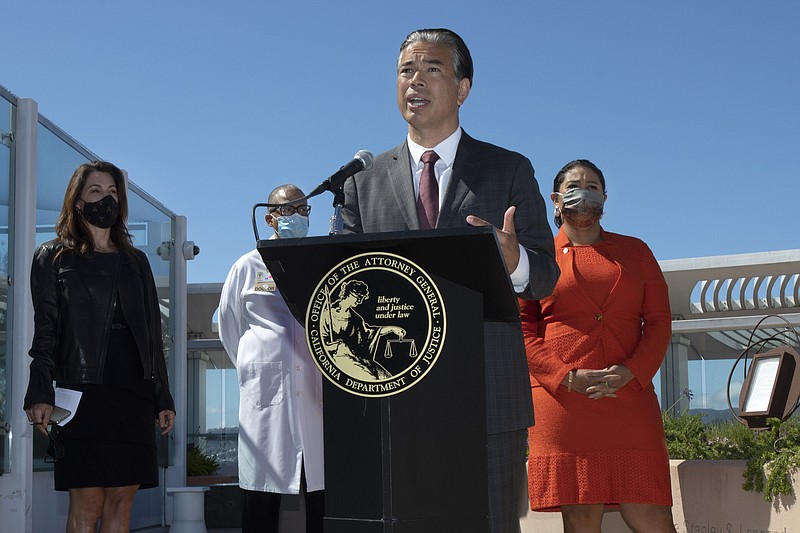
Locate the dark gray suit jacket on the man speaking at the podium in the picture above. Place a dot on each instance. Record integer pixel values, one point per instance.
(486, 180)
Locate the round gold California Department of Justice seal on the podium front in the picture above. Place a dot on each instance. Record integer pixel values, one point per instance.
(376, 324)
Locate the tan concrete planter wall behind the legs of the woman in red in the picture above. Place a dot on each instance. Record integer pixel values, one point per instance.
(707, 498)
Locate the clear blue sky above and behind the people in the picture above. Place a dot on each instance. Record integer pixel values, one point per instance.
(690, 107)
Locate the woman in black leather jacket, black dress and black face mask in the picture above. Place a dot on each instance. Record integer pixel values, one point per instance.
(98, 331)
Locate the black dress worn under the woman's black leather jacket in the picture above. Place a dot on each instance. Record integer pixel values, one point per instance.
(110, 442)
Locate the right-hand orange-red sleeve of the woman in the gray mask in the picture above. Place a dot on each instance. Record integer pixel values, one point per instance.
(646, 359)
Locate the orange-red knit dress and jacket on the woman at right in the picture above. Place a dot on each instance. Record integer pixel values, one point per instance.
(610, 306)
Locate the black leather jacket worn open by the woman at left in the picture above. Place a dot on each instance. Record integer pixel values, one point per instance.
(73, 303)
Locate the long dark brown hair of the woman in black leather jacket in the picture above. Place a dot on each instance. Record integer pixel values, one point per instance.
(72, 230)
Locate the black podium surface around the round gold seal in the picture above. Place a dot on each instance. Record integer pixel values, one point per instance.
(414, 461)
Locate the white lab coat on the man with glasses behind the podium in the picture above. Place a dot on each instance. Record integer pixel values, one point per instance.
(280, 387)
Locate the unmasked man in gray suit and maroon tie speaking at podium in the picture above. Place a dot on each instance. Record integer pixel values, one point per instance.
(476, 183)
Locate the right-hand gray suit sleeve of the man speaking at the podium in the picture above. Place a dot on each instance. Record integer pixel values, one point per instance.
(533, 232)
